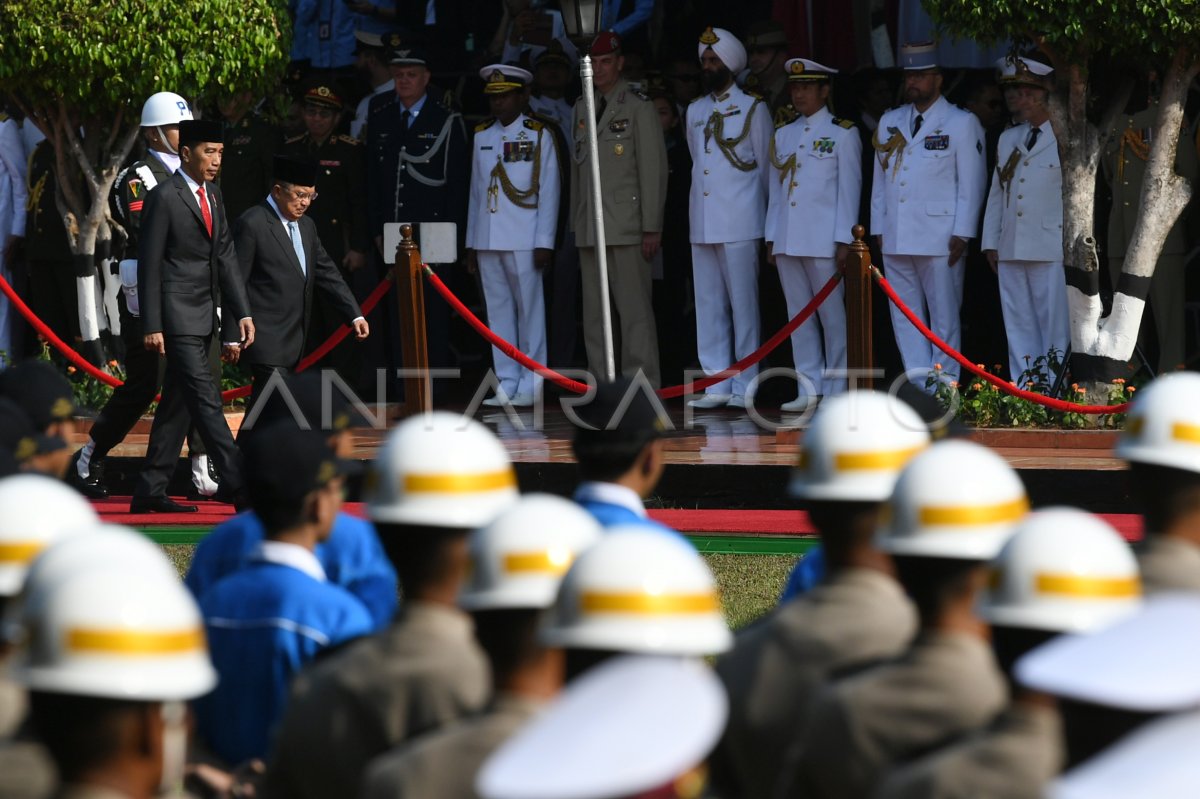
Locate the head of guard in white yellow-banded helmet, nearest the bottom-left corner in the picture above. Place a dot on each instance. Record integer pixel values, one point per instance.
(112, 656)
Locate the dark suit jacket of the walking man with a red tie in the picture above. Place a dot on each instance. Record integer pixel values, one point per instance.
(183, 274)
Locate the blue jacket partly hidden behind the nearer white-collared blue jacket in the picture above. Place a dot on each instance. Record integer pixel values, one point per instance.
(352, 558)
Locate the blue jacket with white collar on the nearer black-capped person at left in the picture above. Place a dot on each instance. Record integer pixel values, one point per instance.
(265, 624)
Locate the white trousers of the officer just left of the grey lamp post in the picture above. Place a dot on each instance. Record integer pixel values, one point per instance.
(517, 311)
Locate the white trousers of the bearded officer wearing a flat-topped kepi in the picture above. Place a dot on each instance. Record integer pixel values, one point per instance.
(934, 291)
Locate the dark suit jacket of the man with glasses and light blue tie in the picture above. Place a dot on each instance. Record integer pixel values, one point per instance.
(280, 293)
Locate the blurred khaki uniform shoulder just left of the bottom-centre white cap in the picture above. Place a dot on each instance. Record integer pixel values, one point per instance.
(445, 765)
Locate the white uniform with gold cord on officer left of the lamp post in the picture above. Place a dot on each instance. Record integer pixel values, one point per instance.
(505, 237)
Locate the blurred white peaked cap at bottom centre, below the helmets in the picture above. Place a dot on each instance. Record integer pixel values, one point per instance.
(638, 726)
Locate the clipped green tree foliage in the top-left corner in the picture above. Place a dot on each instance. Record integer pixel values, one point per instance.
(99, 57)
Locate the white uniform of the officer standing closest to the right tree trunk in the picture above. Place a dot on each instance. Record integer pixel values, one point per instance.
(1024, 226)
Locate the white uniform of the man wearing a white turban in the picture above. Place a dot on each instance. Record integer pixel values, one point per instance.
(728, 209)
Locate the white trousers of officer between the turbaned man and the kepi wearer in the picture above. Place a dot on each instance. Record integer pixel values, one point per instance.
(802, 279)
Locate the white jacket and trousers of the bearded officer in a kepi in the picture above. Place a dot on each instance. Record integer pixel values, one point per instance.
(932, 189)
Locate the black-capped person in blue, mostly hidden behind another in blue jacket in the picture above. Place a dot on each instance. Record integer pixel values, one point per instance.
(352, 556)
